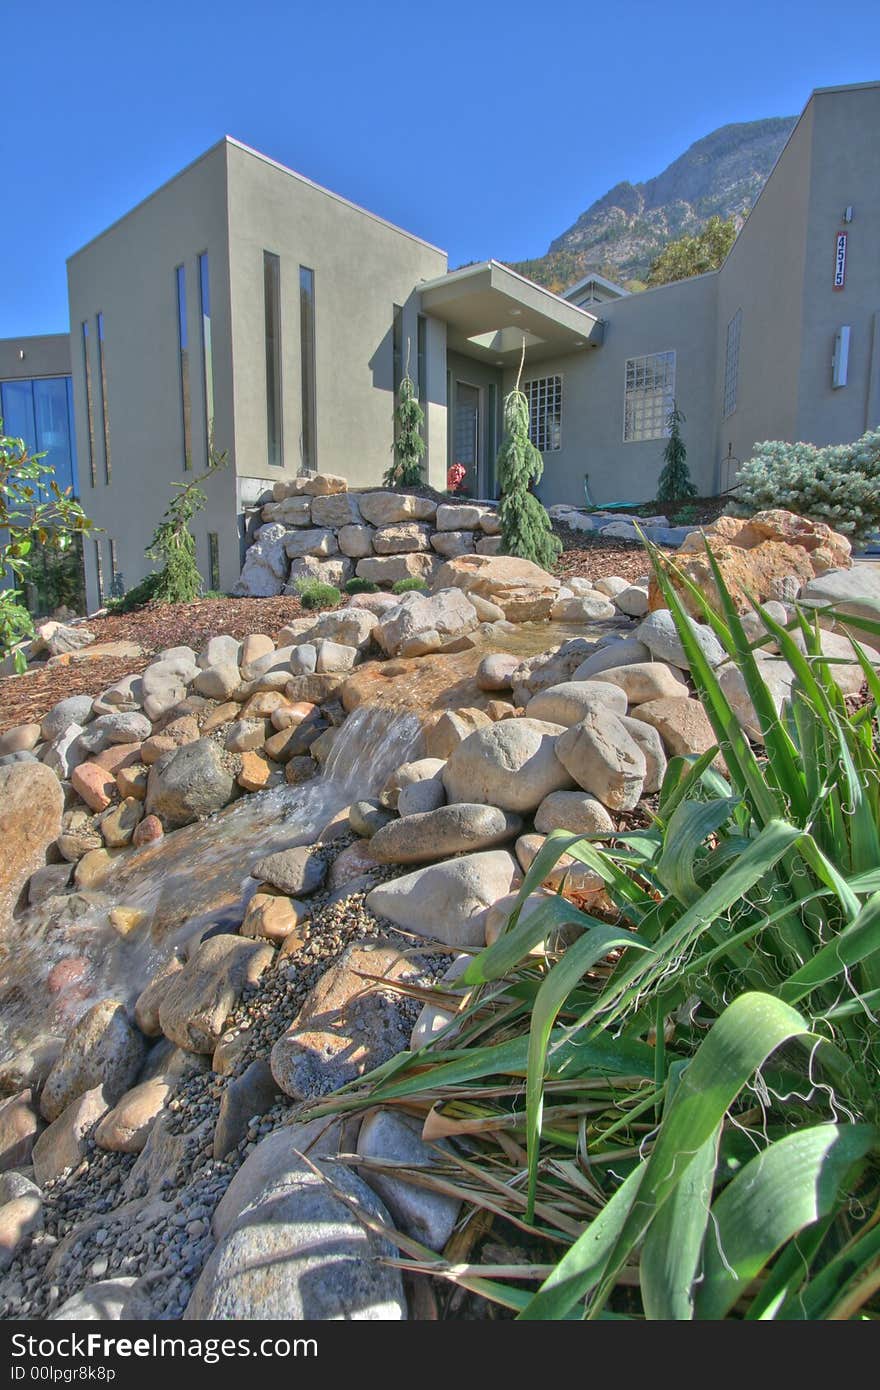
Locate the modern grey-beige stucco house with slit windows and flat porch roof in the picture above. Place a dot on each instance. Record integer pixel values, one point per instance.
(244, 309)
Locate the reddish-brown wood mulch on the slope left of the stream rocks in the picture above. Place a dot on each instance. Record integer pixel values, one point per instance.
(155, 628)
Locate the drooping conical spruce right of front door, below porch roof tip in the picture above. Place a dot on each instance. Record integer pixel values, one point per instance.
(526, 528)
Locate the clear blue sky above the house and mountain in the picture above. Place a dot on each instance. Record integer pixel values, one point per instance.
(486, 129)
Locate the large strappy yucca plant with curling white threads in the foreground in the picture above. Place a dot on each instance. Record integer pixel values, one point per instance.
(697, 1049)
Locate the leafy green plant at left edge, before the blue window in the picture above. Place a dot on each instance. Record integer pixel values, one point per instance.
(34, 514)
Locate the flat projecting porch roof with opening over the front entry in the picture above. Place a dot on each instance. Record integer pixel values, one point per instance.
(489, 309)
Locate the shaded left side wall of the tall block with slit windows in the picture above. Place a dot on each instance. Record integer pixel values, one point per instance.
(129, 275)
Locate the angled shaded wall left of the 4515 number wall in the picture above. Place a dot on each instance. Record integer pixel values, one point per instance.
(764, 277)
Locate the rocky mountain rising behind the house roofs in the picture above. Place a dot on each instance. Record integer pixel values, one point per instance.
(622, 233)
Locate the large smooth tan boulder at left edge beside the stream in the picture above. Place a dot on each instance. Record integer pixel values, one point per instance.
(31, 810)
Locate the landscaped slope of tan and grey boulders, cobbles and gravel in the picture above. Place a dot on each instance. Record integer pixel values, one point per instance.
(158, 1157)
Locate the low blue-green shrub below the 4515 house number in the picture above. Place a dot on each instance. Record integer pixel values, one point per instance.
(839, 484)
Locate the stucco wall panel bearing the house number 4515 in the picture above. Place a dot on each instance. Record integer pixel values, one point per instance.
(846, 172)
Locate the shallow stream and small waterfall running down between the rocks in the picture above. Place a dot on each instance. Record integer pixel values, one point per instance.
(62, 957)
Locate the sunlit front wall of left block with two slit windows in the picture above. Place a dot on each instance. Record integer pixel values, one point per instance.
(362, 269)
